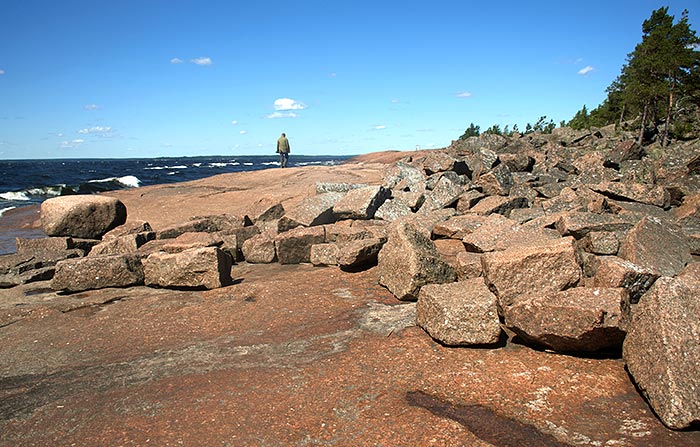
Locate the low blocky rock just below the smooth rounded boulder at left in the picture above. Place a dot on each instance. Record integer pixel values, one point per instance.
(98, 272)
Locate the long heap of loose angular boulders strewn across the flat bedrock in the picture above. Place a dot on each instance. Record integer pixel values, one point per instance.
(577, 242)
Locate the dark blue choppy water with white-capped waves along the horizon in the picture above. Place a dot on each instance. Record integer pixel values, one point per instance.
(28, 182)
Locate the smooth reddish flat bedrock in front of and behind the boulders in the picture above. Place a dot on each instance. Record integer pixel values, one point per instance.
(289, 355)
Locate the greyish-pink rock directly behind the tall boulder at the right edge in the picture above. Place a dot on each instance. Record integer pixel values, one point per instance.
(652, 245)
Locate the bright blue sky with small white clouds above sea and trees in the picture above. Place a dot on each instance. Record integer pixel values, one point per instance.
(183, 78)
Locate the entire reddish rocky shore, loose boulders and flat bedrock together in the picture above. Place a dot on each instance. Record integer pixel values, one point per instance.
(532, 290)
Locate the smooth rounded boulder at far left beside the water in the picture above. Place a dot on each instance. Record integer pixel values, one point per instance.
(83, 216)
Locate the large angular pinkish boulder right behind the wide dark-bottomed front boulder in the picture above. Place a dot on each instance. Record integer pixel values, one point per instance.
(545, 266)
